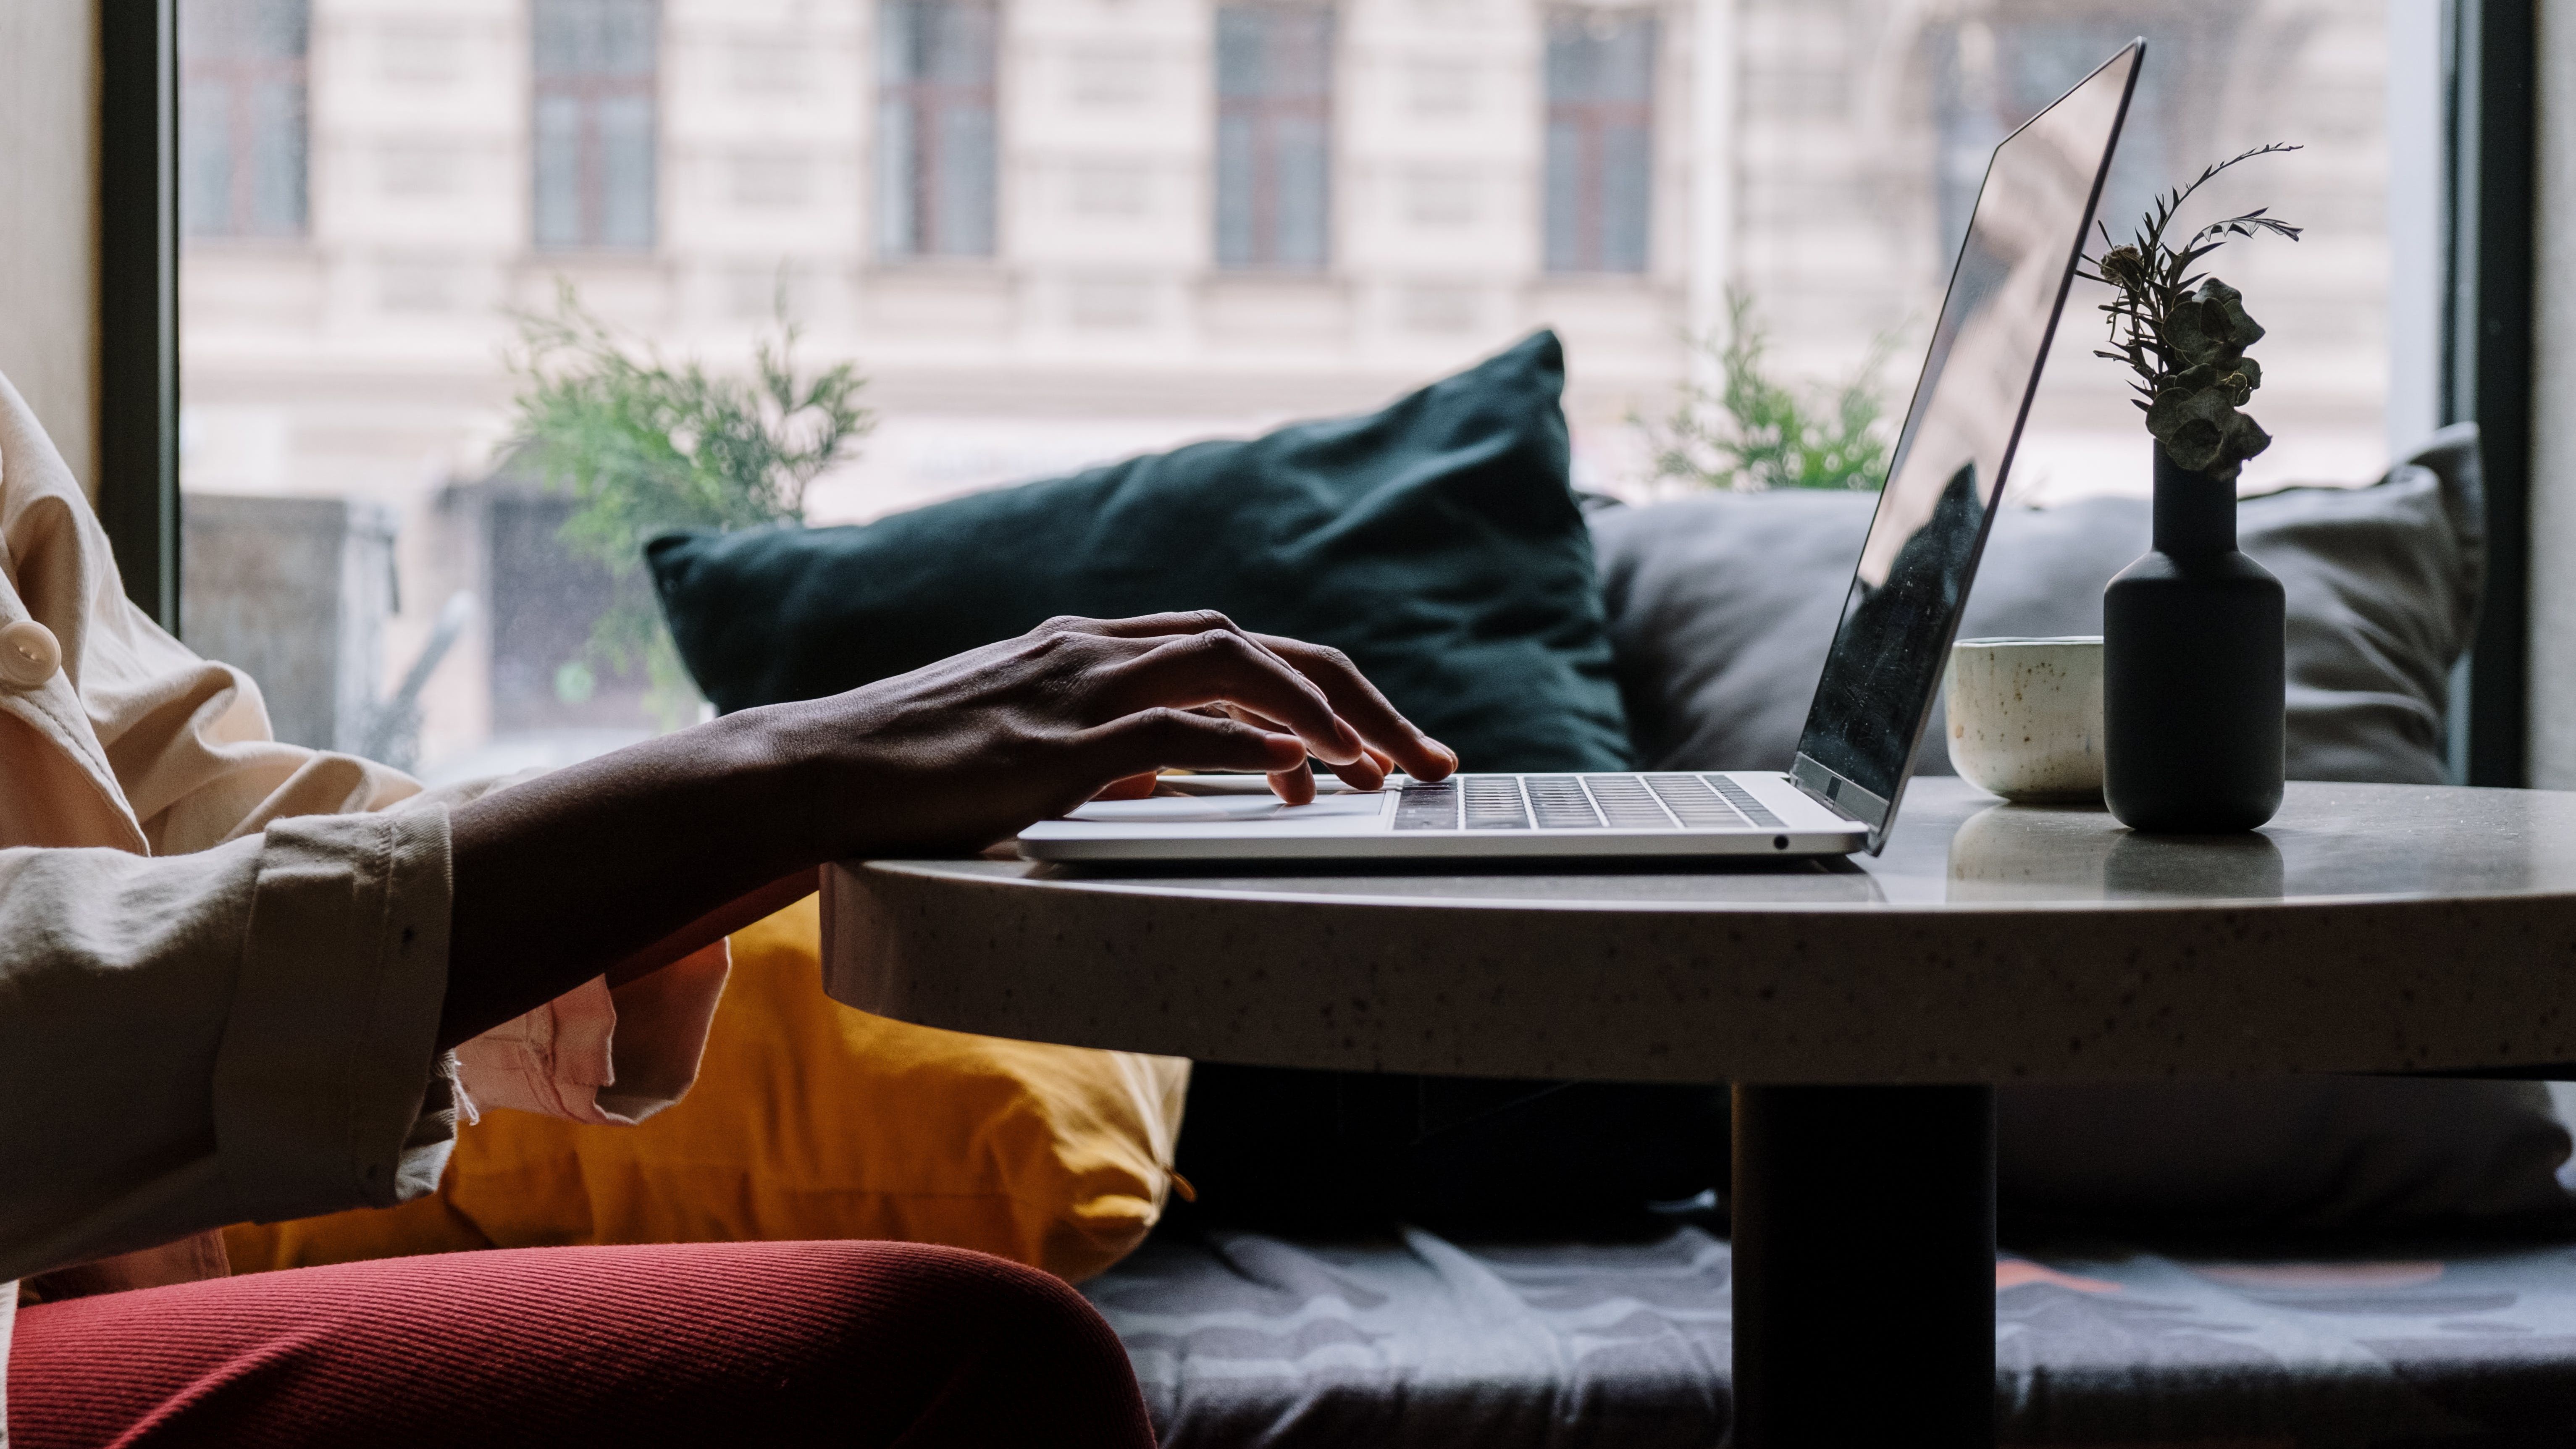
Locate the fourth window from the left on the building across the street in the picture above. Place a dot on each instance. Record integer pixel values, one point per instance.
(1274, 135)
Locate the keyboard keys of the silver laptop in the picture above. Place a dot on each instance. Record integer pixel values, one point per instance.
(1580, 802)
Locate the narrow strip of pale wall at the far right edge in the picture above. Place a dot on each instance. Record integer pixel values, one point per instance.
(2554, 413)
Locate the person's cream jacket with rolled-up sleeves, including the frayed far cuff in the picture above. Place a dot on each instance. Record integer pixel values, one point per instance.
(223, 956)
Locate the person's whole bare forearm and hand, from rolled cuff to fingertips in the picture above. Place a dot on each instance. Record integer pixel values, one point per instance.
(583, 871)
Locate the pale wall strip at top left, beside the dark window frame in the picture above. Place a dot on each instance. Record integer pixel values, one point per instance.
(50, 217)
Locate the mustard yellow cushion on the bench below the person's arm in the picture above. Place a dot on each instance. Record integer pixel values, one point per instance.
(810, 1121)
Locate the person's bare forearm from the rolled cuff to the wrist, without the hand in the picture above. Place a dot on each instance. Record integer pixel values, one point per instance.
(586, 869)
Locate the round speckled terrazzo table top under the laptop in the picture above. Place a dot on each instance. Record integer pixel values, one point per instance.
(2369, 928)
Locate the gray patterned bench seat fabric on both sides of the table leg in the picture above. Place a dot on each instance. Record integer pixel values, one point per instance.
(1248, 1342)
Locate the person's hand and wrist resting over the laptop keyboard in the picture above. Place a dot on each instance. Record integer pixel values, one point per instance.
(970, 750)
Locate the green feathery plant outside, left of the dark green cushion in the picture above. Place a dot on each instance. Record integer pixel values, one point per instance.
(648, 447)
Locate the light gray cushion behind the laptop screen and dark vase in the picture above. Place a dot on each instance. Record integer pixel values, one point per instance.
(1722, 609)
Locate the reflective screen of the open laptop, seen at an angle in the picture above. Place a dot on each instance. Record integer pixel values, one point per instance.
(1956, 447)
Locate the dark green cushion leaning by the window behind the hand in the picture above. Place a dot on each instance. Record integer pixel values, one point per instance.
(1434, 542)
